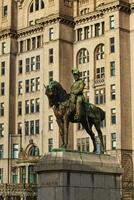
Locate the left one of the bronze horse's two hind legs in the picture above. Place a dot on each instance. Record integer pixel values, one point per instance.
(88, 127)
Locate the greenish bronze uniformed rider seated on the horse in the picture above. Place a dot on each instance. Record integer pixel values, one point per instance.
(77, 96)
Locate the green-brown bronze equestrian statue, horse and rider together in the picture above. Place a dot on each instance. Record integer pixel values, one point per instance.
(74, 108)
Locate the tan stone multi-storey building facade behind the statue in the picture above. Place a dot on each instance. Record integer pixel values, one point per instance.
(42, 40)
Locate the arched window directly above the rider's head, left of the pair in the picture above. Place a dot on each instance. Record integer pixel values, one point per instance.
(83, 56)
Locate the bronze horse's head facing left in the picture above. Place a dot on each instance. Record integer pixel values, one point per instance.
(51, 92)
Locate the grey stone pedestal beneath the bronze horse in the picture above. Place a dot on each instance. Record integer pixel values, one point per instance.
(78, 176)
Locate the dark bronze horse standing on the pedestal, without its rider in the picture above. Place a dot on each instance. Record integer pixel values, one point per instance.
(90, 115)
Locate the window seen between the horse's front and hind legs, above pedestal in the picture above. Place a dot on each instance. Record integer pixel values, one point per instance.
(83, 144)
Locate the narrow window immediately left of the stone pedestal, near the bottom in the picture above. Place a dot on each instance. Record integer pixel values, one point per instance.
(31, 175)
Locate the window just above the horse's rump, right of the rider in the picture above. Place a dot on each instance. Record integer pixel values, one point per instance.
(100, 96)
